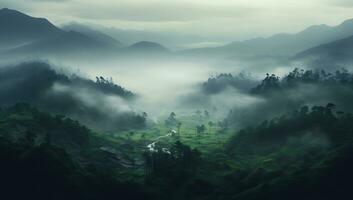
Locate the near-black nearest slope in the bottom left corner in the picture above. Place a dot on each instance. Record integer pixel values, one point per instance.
(47, 172)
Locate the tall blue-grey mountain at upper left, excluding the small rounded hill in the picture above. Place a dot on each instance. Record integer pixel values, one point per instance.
(21, 34)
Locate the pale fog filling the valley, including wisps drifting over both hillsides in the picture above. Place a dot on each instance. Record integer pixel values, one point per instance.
(168, 84)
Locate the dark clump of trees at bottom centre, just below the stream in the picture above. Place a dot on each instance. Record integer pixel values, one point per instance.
(167, 171)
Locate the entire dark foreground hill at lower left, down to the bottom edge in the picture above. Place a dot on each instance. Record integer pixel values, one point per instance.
(53, 157)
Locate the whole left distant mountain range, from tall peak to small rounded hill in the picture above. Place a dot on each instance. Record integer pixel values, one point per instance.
(24, 35)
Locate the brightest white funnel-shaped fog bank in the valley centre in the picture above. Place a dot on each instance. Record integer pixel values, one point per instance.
(160, 83)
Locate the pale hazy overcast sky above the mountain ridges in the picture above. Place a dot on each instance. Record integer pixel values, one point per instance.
(227, 19)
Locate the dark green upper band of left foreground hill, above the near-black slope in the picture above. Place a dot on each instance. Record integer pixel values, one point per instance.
(25, 125)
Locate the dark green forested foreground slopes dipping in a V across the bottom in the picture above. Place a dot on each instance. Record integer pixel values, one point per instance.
(306, 154)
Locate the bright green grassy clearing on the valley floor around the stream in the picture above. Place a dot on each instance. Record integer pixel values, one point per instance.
(213, 138)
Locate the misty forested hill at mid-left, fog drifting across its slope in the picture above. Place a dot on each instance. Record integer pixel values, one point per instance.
(100, 104)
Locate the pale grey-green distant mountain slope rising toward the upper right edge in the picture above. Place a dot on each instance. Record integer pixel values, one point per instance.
(281, 44)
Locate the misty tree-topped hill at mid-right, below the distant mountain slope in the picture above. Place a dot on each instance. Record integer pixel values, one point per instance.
(275, 96)
